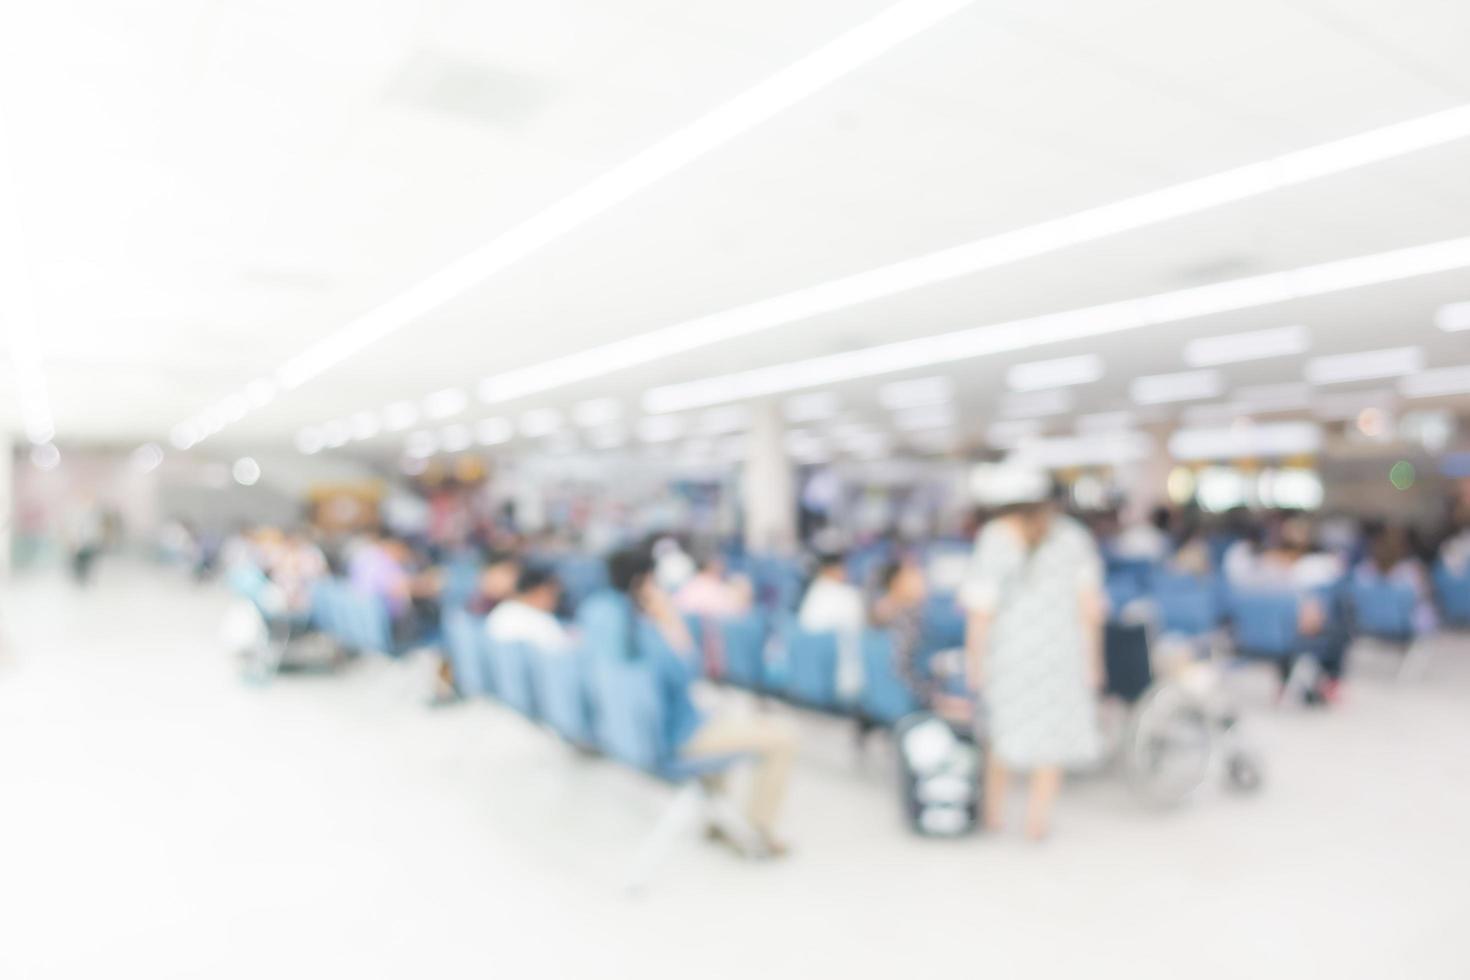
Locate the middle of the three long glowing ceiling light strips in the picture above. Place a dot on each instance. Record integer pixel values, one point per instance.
(989, 253)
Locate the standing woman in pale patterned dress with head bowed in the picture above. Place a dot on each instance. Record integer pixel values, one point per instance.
(1034, 641)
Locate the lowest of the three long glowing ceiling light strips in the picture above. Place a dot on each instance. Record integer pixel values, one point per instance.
(1096, 321)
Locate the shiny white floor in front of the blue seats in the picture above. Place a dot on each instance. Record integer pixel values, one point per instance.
(159, 819)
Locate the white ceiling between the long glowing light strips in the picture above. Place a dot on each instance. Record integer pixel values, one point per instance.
(209, 187)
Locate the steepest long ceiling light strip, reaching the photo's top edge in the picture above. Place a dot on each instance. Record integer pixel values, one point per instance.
(806, 77)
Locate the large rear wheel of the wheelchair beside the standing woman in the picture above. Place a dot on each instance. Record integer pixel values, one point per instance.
(1168, 747)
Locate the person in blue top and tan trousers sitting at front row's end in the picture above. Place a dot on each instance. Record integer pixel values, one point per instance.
(642, 622)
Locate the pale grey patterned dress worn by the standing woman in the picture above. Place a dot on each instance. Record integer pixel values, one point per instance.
(1039, 694)
